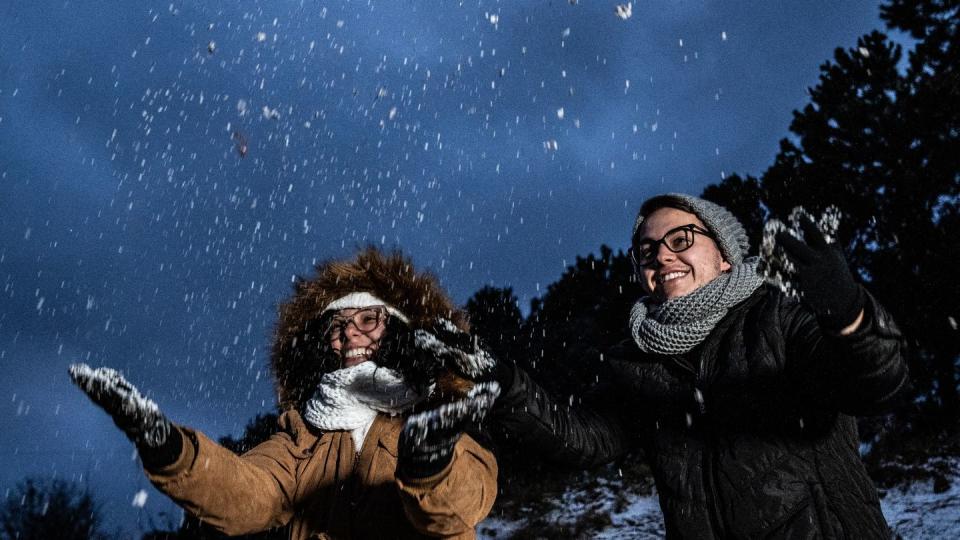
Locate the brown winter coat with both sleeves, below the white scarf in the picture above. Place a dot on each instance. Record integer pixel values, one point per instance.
(318, 486)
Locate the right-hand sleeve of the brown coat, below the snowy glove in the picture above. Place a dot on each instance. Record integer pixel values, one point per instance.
(452, 502)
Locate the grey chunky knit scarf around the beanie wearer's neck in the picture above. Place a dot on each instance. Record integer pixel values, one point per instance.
(680, 324)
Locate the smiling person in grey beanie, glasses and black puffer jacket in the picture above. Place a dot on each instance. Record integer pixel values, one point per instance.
(742, 398)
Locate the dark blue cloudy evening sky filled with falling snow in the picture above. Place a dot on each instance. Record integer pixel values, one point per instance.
(491, 141)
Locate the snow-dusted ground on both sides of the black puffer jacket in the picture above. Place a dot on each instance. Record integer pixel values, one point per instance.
(913, 511)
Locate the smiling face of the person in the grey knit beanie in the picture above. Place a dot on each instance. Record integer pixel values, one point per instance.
(671, 275)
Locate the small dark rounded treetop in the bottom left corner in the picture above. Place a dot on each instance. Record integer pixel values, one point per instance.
(39, 509)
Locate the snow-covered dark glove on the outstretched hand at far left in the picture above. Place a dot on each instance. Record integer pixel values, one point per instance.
(158, 442)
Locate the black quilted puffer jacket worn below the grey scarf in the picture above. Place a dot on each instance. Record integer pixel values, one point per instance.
(749, 435)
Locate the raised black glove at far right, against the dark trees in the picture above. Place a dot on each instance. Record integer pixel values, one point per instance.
(826, 284)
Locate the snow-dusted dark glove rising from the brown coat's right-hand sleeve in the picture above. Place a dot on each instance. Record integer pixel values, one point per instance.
(428, 438)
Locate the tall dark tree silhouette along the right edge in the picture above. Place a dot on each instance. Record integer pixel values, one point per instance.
(882, 142)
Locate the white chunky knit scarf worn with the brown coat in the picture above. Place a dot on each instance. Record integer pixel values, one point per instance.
(350, 398)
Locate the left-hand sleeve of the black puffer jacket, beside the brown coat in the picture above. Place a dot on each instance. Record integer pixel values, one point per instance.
(580, 434)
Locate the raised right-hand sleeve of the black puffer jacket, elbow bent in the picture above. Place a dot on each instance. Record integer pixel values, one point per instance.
(863, 373)
